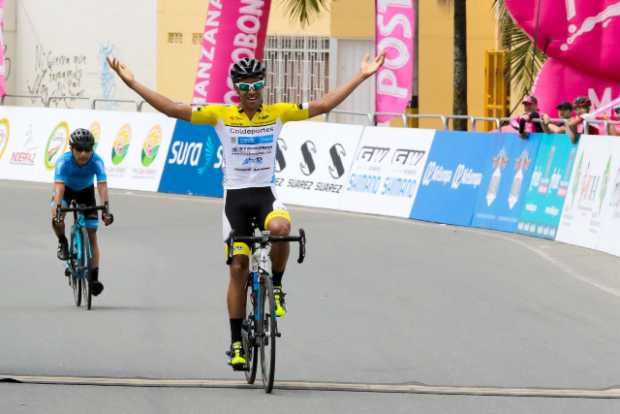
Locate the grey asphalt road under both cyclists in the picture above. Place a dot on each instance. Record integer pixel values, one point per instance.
(379, 301)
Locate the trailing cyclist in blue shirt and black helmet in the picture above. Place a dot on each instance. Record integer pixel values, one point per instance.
(74, 180)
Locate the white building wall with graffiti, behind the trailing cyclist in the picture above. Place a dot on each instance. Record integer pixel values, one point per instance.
(59, 47)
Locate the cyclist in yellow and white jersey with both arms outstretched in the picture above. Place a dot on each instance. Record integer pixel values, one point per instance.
(248, 133)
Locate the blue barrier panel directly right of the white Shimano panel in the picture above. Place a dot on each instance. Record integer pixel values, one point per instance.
(453, 176)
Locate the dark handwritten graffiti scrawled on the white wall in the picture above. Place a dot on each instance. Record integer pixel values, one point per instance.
(57, 75)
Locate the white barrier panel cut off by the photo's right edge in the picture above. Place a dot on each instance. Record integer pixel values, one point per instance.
(610, 233)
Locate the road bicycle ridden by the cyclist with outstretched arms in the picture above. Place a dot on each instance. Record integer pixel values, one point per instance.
(259, 328)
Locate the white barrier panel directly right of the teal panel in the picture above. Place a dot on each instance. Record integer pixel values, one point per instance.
(582, 217)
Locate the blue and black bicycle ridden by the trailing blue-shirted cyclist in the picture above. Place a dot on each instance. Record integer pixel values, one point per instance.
(79, 261)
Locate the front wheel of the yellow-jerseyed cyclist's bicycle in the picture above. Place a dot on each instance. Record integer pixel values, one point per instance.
(268, 329)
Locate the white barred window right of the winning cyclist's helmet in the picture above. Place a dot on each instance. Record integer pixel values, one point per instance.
(297, 68)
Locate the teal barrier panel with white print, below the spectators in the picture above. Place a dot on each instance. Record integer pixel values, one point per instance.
(546, 192)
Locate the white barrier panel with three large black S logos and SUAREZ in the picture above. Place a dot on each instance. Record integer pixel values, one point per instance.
(314, 161)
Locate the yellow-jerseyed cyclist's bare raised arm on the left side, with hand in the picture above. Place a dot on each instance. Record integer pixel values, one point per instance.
(158, 101)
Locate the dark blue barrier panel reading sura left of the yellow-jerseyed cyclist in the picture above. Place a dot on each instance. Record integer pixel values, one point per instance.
(194, 162)
